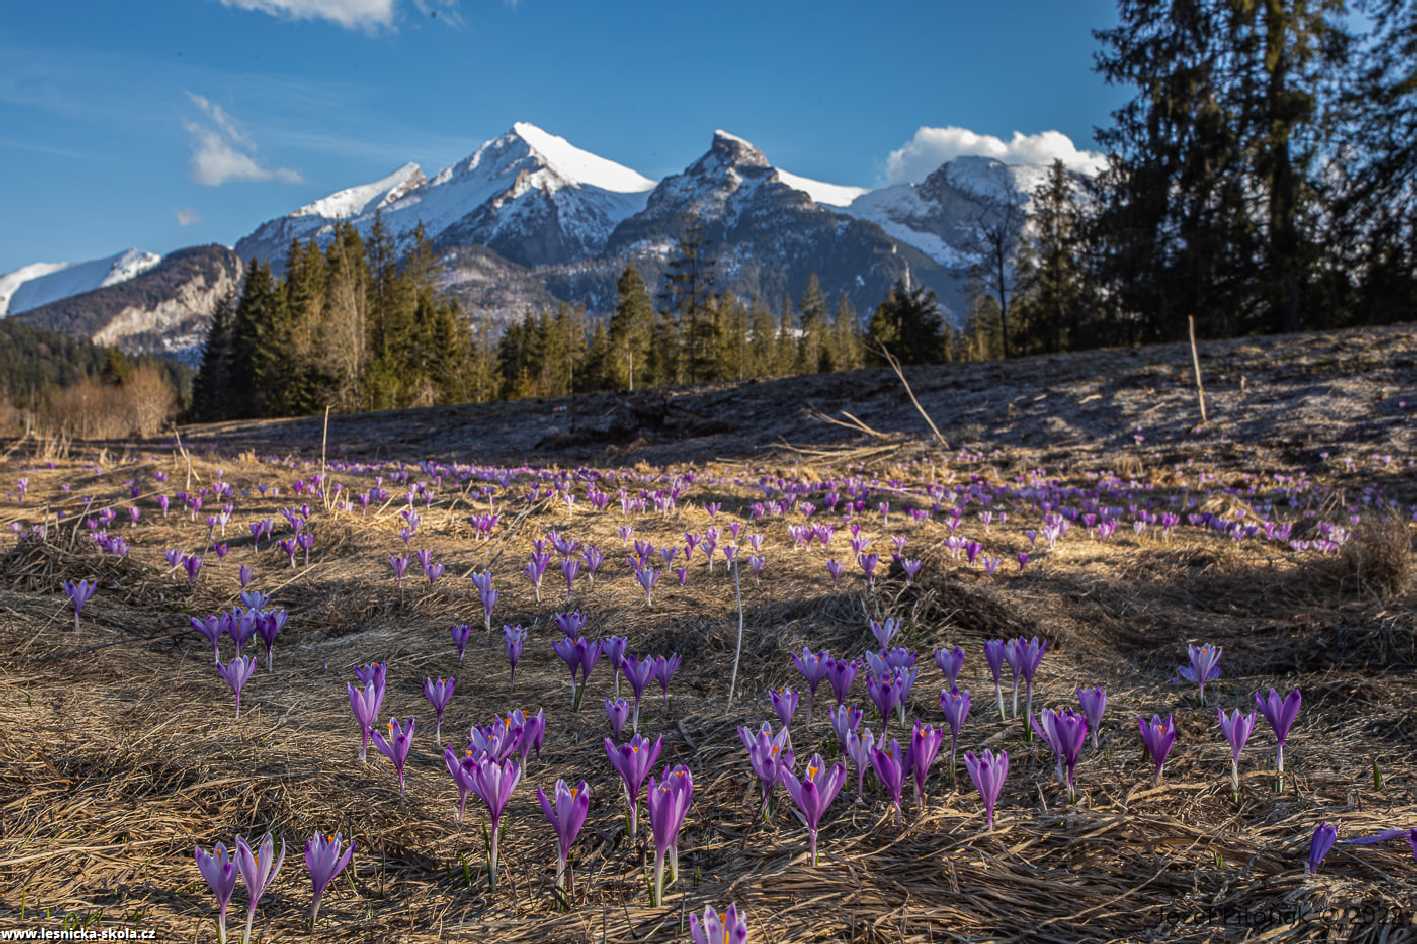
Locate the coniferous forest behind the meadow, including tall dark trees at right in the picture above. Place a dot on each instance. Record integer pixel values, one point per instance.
(1262, 178)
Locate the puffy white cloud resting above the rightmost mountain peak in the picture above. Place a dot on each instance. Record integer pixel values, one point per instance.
(932, 147)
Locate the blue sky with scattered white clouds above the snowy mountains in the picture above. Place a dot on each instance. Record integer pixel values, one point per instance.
(176, 123)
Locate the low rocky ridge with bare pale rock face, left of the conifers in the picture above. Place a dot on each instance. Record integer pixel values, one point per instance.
(164, 311)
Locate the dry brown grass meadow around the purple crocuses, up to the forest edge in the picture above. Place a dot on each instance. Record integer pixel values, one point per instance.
(120, 751)
